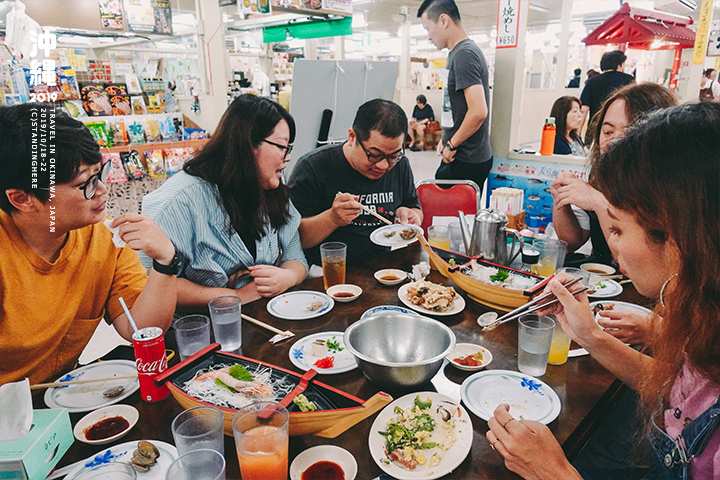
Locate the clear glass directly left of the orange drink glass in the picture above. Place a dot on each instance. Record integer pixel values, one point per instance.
(199, 428)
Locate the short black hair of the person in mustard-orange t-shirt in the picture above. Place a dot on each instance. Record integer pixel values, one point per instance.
(20, 167)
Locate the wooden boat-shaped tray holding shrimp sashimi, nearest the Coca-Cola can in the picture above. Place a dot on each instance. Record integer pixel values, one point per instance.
(337, 411)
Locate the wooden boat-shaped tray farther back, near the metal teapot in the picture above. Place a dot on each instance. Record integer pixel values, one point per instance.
(493, 296)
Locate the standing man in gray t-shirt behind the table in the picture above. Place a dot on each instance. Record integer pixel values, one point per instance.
(465, 149)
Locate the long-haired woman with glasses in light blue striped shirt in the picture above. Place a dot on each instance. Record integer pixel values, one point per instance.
(228, 211)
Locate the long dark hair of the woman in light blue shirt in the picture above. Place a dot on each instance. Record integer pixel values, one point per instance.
(228, 162)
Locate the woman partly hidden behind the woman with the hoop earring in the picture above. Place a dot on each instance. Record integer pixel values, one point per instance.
(624, 108)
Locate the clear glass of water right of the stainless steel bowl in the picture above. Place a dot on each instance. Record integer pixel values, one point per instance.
(534, 340)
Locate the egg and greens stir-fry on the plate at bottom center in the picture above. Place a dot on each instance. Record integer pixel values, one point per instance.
(420, 434)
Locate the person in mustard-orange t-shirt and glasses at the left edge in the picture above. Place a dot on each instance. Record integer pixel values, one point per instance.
(60, 273)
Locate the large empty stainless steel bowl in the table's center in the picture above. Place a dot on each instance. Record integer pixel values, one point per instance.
(397, 350)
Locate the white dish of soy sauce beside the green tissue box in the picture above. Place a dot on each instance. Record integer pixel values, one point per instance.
(106, 424)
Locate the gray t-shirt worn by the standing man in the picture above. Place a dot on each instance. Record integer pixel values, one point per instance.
(466, 67)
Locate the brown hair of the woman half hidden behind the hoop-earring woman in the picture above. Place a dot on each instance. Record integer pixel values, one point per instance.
(640, 99)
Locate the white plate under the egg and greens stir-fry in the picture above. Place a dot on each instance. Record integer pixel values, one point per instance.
(450, 458)
